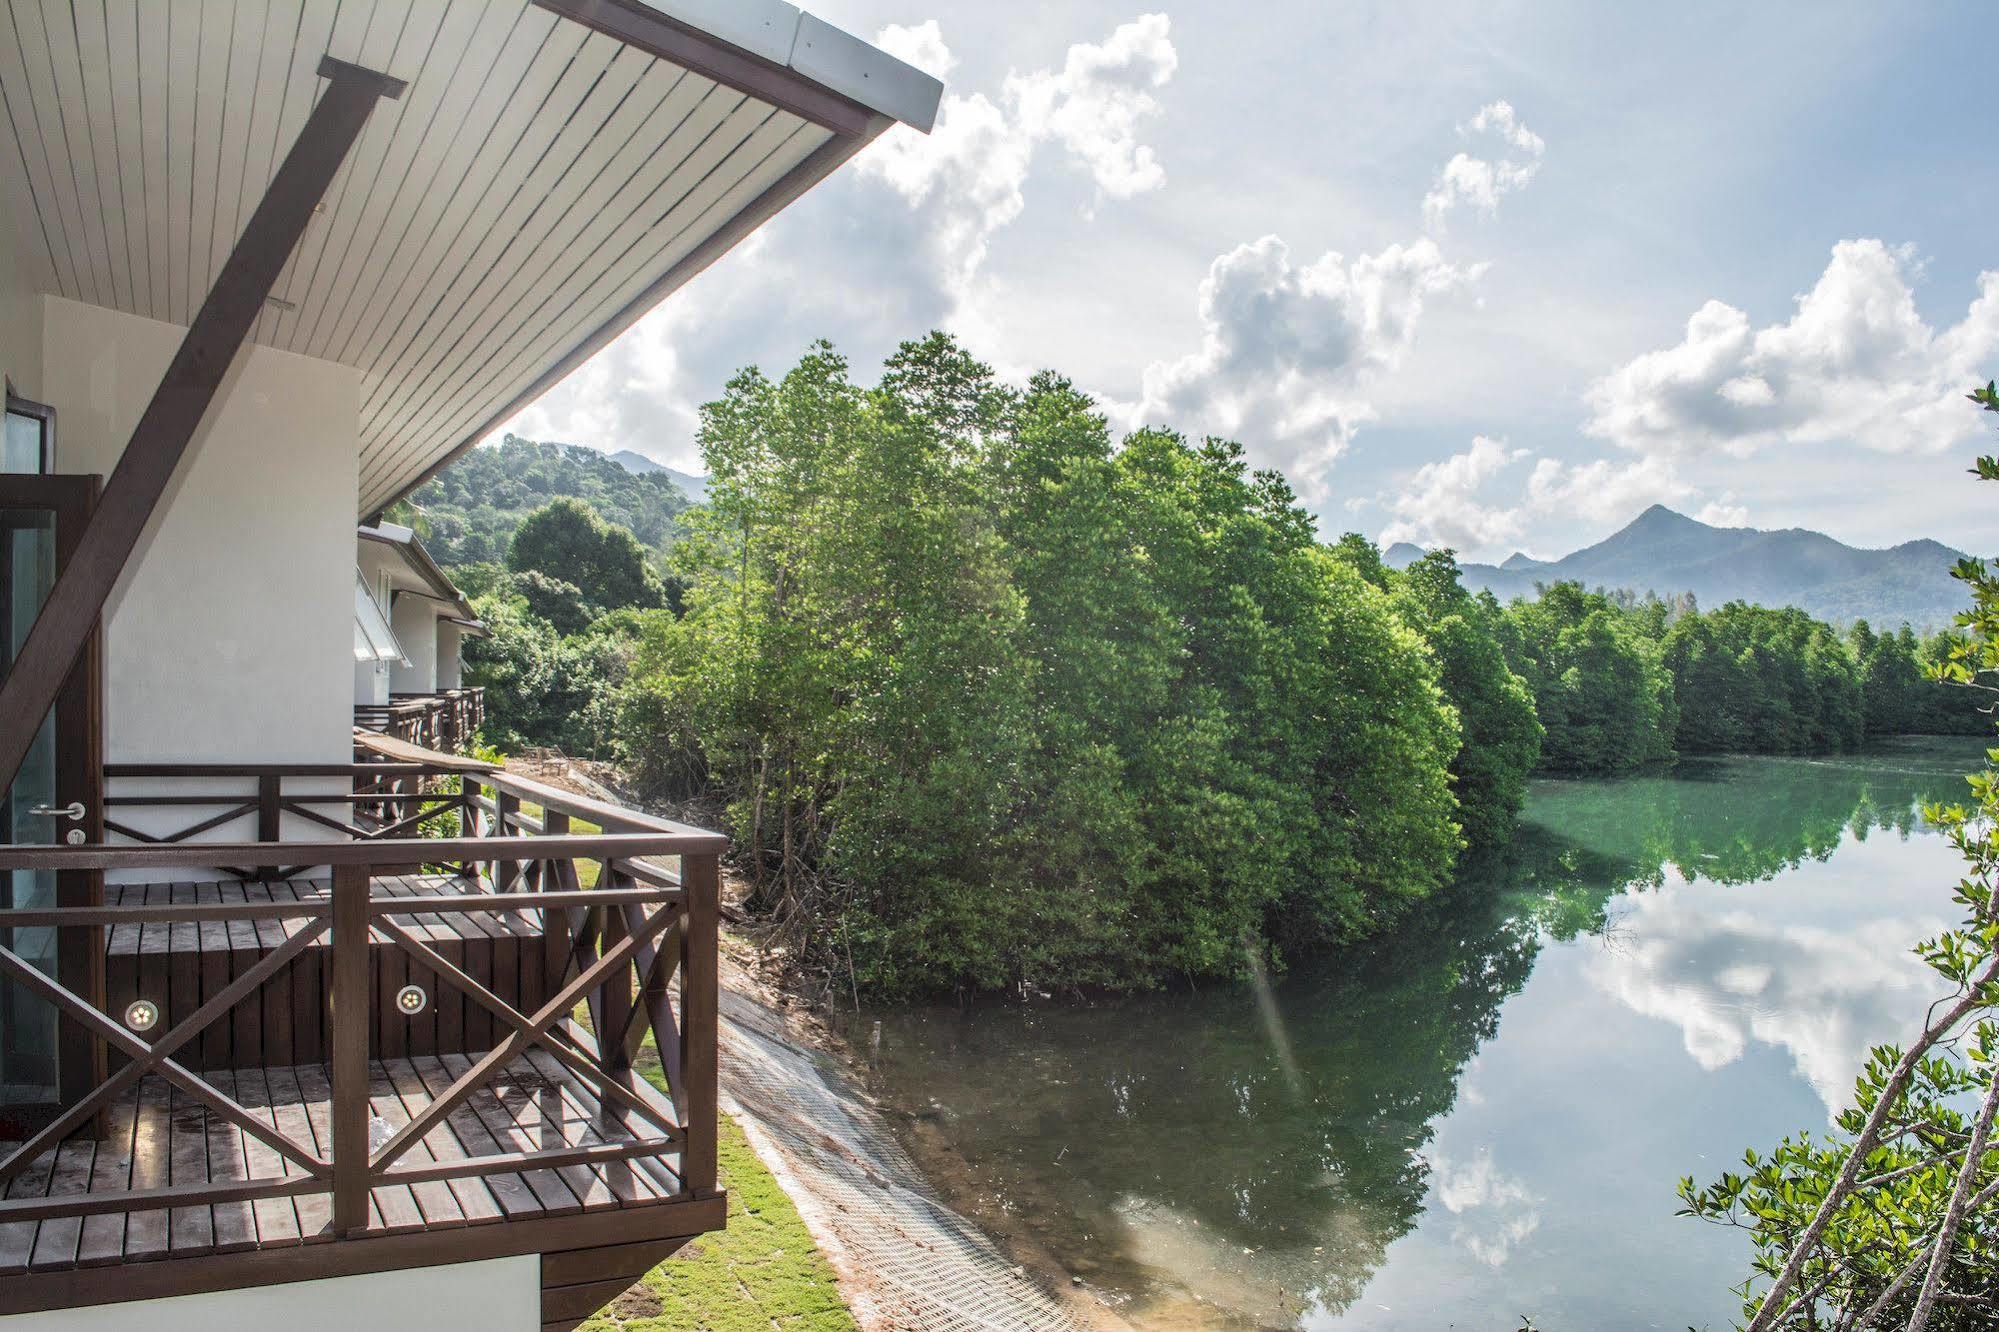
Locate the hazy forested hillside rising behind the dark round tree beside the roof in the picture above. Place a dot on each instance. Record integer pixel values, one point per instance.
(473, 507)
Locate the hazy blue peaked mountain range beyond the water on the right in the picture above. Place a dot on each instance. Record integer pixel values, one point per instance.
(1666, 553)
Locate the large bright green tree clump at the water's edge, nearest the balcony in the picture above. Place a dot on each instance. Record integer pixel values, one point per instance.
(999, 701)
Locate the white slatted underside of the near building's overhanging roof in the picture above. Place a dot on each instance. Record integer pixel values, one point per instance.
(545, 179)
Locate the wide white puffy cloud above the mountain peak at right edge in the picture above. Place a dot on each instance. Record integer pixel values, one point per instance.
(1854, 365)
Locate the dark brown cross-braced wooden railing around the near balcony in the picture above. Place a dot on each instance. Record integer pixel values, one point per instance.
(627, 939)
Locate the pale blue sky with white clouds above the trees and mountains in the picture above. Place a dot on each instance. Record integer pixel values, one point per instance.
(1490, 275)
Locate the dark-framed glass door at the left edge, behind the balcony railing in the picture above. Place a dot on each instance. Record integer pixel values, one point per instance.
(55, 799)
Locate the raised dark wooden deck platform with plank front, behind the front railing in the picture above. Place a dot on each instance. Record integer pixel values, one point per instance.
(183, 965)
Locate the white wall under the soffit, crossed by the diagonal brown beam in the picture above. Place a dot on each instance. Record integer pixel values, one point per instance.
(231, 637)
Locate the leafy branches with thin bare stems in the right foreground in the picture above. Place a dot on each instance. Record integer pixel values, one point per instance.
(1894, 1219)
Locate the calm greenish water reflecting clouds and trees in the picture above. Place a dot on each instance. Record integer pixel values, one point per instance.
(1486, 1115)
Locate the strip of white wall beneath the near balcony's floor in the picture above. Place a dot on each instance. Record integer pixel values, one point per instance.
(501, 1295)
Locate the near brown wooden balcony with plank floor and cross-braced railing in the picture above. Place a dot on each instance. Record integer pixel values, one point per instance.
(375, 1049)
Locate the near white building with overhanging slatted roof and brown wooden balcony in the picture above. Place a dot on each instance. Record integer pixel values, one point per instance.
(267, 267)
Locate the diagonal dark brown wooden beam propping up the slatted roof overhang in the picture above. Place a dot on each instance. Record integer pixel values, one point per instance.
(183, 399)
